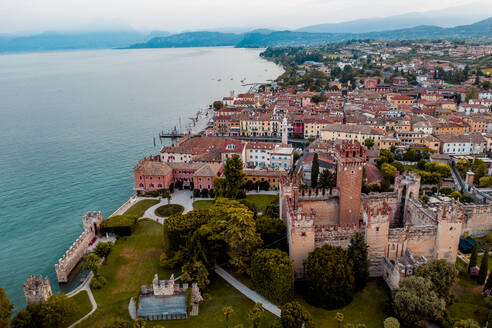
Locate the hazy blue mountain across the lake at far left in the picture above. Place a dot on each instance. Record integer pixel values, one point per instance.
(69, 41)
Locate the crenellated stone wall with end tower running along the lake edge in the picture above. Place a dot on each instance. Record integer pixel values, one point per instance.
(65, 265)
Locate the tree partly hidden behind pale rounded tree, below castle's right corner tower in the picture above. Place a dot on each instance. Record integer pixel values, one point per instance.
(442, 274)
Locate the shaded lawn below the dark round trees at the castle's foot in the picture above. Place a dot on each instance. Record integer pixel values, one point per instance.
(366, 307)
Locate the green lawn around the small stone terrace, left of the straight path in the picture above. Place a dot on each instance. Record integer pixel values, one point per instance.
(134, 261)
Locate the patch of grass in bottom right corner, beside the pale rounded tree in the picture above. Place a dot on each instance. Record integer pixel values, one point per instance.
(468, 302)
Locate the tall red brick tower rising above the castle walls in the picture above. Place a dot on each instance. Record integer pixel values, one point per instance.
(351, 157)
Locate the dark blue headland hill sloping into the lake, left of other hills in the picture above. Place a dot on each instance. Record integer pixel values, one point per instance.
(192, 39)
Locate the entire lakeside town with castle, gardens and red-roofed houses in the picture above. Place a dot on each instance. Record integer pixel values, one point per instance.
(353, 191)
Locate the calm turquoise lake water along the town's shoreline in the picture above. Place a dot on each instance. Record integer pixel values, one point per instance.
(72, 126)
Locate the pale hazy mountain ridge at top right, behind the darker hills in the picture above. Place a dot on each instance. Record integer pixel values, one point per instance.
(447, 17)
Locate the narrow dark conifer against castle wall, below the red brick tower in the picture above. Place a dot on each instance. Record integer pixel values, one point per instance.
(357, 252)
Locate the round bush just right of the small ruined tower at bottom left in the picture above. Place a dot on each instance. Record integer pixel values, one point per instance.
(60, 311)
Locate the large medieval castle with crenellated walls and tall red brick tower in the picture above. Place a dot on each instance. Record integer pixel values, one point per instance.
(397, 228)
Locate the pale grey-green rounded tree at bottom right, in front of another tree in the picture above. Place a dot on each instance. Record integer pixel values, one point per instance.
(416, 302)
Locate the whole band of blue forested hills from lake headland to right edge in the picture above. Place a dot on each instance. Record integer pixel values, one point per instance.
(482, 29)
